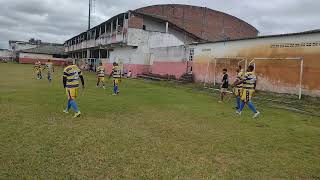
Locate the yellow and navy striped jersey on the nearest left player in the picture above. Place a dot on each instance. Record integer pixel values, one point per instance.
(72, 74)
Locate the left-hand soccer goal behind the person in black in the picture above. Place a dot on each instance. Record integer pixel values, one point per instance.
(215, 66)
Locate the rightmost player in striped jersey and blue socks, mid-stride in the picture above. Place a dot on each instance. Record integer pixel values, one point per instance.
(249, 85)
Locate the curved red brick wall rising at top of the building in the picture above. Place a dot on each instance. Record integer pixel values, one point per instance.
(204, 22)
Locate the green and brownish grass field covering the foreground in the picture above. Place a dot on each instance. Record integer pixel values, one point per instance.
(151, 131)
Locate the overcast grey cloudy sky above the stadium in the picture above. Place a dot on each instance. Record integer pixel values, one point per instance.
(58, 20)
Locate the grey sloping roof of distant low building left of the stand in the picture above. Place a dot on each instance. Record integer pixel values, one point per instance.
(47, 49)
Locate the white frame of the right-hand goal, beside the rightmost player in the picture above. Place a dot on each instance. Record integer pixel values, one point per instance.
(300, 59)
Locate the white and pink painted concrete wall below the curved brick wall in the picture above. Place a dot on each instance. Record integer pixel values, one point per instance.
(137, 56)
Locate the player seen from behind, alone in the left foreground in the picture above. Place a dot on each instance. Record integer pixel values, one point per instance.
(71, 76)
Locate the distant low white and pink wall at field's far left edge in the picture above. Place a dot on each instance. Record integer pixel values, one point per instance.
(31, 58)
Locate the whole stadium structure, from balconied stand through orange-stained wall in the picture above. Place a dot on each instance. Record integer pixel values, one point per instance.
(179, 40)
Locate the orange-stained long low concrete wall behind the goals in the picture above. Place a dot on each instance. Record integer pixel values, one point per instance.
(274, 75)
